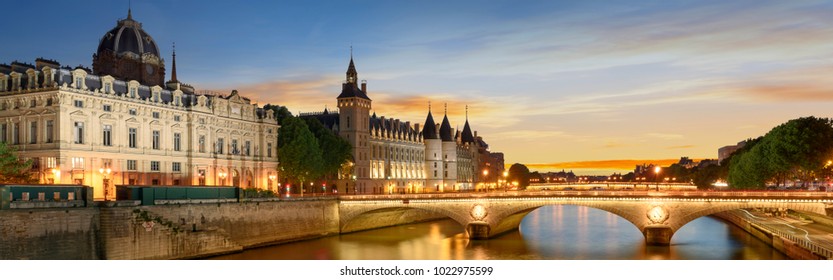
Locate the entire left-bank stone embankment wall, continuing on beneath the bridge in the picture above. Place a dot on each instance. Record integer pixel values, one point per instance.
(126, 230)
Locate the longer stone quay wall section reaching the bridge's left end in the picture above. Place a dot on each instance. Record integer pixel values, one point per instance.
(198, 230)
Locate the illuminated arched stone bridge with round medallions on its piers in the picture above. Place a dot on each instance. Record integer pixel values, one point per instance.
(658, 215)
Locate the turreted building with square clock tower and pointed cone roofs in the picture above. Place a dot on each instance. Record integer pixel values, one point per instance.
(394, 156)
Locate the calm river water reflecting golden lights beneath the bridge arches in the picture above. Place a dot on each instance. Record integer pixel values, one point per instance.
(548, 233)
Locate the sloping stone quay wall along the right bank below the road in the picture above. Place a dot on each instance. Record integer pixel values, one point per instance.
(786, 246)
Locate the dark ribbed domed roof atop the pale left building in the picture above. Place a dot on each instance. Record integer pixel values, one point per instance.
(128, 36)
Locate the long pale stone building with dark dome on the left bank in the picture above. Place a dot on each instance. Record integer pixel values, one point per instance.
(122, 123)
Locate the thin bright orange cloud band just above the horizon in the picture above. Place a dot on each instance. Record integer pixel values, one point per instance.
(617, 164)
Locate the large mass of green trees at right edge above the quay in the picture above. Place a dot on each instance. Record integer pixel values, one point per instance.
(798, 149)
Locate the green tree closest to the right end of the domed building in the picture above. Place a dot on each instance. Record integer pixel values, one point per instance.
(299, 152)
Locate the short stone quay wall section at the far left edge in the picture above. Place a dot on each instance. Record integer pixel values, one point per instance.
(49, 234)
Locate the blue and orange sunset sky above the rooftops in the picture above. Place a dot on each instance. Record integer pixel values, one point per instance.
(546, 81)
